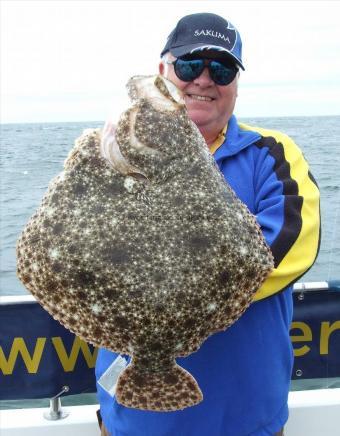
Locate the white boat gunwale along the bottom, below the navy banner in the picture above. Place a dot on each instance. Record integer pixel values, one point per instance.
(312, 413)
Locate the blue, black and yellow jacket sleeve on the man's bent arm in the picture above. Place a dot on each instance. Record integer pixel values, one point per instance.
(287, 205)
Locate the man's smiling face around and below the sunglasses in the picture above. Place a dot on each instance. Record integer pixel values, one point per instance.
(209, 105)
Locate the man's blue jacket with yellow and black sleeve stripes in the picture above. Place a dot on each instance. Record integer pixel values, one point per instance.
(244, 372)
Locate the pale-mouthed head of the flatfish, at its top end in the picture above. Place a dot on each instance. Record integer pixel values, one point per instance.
(151, 134)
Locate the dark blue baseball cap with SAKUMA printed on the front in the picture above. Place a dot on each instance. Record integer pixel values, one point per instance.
(204, 31)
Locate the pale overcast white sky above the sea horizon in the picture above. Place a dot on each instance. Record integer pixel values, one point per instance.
(70, 60)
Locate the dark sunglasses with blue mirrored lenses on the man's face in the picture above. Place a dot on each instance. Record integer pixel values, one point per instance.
(189, 69)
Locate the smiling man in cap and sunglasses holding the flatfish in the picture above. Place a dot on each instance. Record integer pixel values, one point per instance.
(245, 371)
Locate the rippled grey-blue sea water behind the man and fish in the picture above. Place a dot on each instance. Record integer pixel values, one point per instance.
(32, 154)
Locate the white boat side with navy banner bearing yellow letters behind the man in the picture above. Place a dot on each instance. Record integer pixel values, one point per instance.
(36, 338)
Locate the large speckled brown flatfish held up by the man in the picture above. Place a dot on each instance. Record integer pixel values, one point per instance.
(141, 247)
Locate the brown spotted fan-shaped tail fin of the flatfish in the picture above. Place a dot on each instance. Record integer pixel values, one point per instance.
(170, 390)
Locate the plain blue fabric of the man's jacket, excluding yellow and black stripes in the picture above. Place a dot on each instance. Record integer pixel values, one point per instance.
(244, 372)
